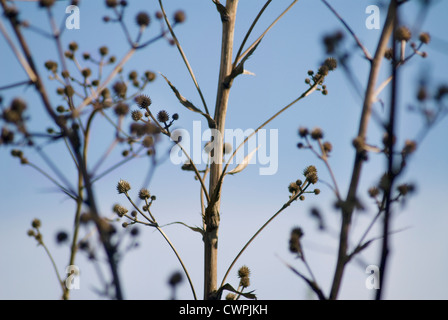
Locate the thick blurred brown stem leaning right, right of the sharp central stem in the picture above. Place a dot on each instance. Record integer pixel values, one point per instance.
(348, 207)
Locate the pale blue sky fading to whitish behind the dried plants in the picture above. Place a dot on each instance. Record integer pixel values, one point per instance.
(419, 255)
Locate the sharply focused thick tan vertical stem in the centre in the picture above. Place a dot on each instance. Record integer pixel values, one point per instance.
(212, 212)
